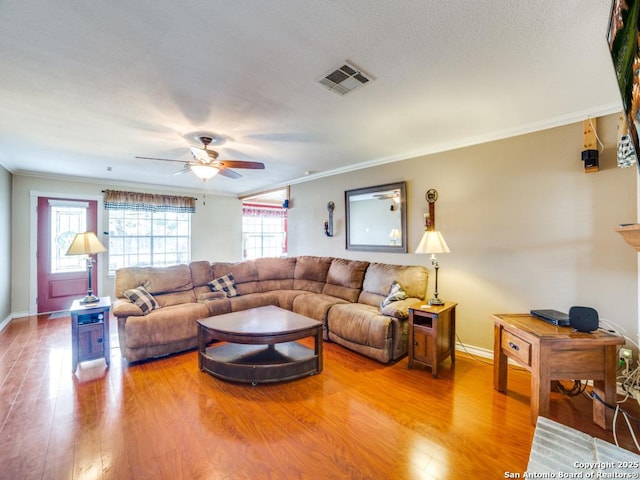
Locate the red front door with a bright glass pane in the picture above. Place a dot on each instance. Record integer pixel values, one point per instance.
(61, 278)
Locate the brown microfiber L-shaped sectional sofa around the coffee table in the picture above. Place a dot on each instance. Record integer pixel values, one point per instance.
(345, 295)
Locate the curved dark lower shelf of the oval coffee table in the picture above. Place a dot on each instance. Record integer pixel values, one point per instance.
(255, 364)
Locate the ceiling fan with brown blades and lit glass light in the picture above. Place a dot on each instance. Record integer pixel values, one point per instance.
(205, 163)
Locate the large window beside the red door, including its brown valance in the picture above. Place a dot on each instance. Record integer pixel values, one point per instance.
(148, 230)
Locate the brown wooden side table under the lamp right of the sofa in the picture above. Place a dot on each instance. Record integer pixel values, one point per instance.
(432, 335)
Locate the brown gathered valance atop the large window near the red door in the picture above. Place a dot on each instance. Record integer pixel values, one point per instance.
(148, 202)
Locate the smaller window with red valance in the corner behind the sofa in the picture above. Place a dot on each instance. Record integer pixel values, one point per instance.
(264, 231)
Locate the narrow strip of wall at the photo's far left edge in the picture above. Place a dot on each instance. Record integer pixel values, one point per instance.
(5, 245)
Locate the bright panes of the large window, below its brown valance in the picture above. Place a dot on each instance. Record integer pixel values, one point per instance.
(140, 239)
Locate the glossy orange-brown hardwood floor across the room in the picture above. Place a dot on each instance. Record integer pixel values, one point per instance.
(164, 419)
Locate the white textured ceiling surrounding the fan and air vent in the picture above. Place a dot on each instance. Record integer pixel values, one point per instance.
(87, 86)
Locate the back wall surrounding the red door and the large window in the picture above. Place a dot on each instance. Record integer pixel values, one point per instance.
(216, 228)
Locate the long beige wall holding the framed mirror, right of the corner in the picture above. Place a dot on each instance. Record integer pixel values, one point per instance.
(527, 228)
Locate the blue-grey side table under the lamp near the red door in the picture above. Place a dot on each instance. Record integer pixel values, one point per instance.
(90, 331)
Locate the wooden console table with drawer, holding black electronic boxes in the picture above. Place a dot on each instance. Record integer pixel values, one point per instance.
(554, 353)
